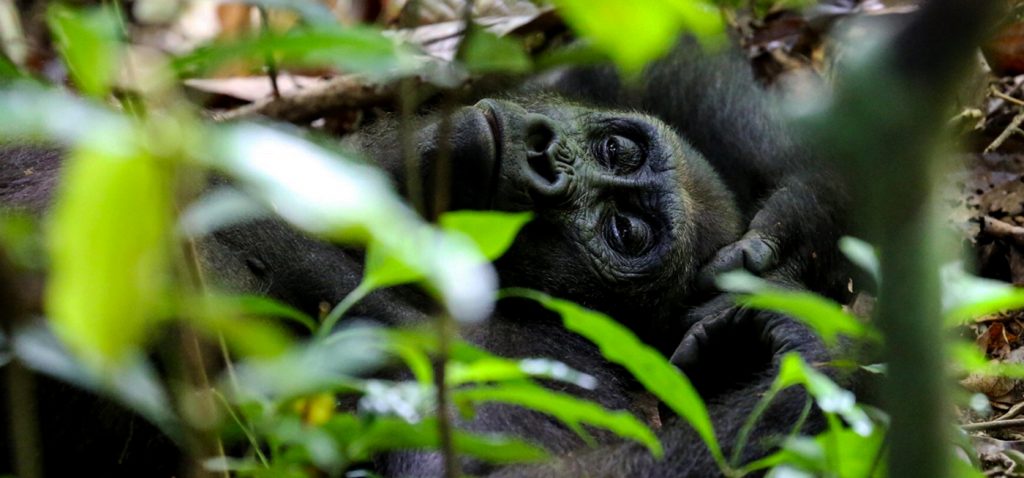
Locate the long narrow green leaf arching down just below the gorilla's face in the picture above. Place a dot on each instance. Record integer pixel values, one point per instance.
(620, 346)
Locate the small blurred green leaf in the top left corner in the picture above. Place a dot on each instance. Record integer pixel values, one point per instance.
(89, 40)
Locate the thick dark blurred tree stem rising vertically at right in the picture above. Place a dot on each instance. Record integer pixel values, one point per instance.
(883, 131)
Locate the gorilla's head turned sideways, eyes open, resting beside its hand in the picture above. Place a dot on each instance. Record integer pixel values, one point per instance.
(625, 210)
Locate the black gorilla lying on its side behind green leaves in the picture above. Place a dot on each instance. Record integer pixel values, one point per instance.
(641, 192)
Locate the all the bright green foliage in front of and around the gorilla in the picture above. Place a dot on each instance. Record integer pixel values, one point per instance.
(110, 293)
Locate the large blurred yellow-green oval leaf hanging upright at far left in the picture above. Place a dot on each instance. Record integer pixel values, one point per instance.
(109, 251)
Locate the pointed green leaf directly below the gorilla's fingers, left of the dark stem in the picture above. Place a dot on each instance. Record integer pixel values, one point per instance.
(822, 315)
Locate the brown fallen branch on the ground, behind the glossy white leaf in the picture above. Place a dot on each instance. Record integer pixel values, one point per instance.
(336, 95)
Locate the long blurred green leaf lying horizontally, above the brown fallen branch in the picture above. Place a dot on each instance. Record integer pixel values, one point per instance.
(355, 50)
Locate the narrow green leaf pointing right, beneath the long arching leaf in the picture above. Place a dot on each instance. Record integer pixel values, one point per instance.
(571, 410)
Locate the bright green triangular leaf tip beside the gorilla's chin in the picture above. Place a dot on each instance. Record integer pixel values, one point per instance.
(492, 232)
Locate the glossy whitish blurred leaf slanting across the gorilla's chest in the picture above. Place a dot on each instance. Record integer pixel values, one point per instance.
(343, 200)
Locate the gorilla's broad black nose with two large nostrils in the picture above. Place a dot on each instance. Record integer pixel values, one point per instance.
(542, 156)
